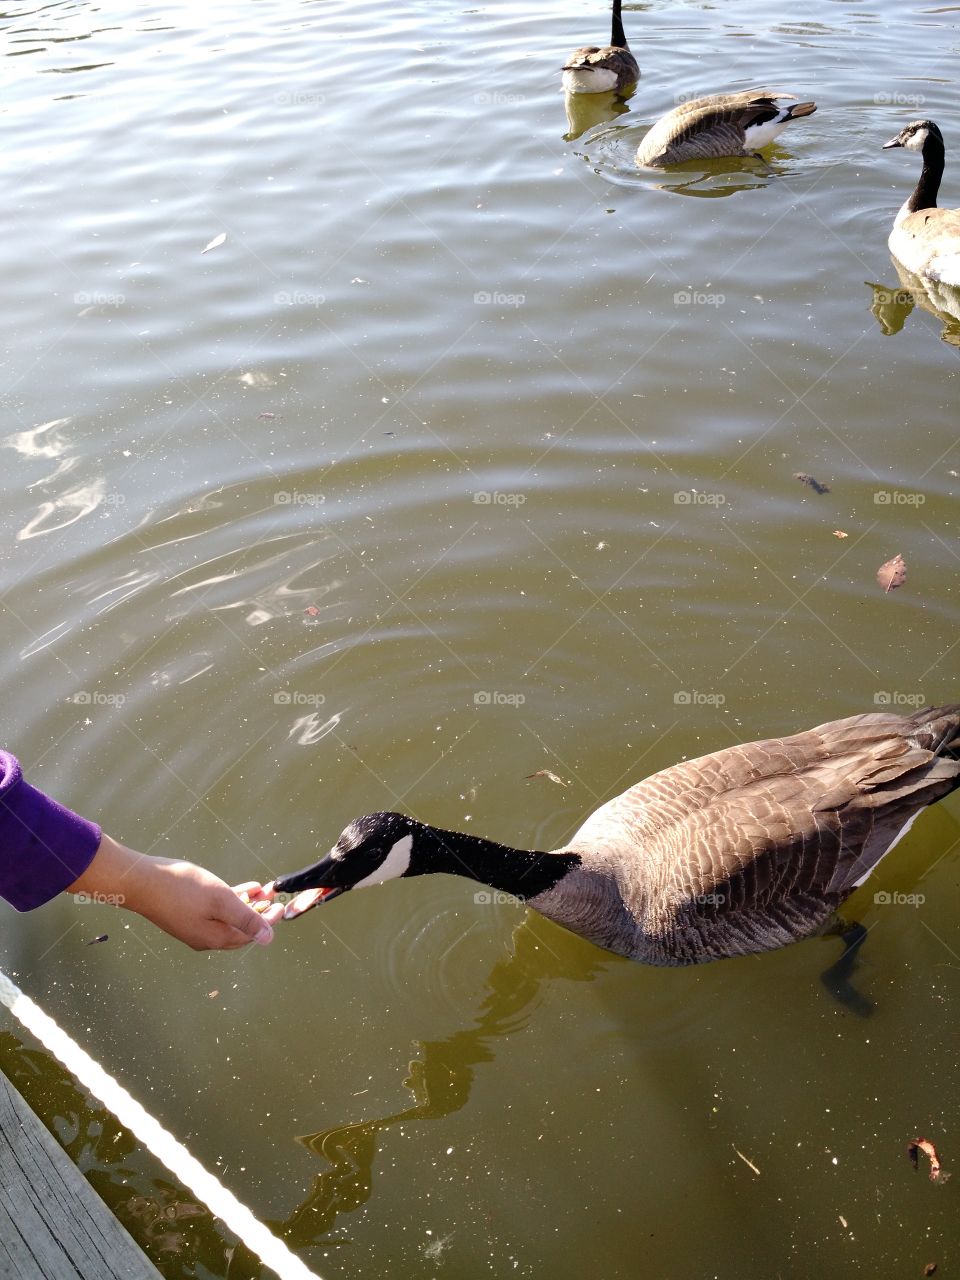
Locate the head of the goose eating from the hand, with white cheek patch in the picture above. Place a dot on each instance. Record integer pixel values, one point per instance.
(372, 851)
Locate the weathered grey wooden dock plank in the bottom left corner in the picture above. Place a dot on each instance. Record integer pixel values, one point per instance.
(53, 1226)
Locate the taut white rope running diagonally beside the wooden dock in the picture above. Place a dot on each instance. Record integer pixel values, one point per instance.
(221, 1203)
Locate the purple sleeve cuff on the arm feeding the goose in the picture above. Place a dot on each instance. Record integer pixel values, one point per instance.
(44, 848)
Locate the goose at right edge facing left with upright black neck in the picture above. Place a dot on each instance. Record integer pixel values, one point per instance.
(926, 239)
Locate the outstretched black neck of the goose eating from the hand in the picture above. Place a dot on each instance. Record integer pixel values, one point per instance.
(520, 872)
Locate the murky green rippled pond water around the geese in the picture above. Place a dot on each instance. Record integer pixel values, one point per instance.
(469, 454)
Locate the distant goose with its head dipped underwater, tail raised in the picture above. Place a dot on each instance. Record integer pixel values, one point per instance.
(723, 125)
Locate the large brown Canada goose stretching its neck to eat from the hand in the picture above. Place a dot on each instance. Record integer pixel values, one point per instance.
(734, 853)
